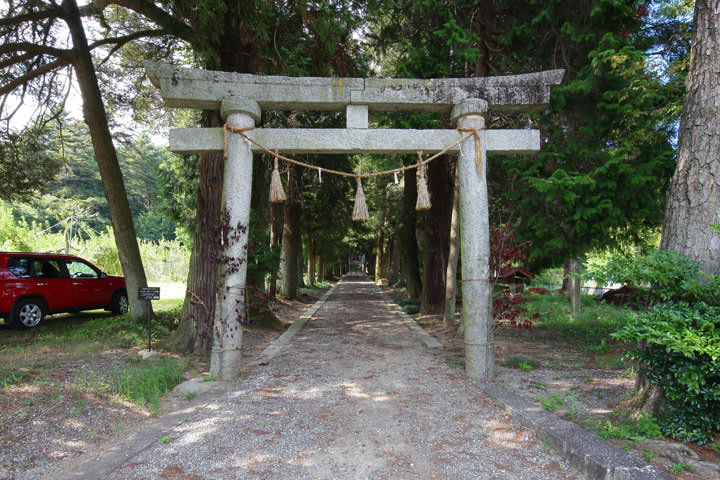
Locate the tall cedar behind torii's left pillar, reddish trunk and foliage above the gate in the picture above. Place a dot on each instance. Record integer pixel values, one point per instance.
(292, 38)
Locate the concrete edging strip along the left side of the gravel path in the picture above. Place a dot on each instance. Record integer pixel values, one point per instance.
(120, 453)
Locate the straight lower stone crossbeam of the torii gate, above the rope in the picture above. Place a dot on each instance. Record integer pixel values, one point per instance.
(348, 141)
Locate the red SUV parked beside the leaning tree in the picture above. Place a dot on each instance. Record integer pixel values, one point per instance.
(33, 285)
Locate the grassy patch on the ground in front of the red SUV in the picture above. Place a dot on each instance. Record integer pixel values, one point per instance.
(40, 357)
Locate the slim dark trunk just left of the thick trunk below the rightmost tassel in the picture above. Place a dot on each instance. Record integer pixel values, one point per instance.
(408, 239)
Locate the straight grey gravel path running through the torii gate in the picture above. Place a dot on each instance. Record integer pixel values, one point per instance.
(354, 395)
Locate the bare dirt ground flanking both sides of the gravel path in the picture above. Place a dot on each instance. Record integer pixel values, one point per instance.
(55, 417)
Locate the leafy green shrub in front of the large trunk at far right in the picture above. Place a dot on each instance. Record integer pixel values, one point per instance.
(677, 337)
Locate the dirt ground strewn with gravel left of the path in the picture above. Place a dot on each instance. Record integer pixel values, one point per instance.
(65, 413)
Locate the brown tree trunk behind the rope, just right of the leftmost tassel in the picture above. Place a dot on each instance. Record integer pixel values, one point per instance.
(291, 232)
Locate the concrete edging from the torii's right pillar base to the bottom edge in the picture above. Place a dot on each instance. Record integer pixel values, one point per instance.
(588, 453)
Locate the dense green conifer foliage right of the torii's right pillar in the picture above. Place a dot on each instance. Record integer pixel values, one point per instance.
(607, 155)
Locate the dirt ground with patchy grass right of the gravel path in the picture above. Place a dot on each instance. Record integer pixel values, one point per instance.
(572, 381)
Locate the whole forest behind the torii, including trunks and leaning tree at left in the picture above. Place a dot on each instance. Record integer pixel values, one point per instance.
(610, 136)
